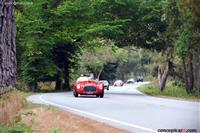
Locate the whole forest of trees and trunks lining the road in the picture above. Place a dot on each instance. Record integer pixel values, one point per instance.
(57, 40)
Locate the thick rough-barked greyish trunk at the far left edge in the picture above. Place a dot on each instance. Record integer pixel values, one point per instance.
(8, 61)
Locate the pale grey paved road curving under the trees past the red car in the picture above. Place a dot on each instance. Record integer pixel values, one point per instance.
(127, 108)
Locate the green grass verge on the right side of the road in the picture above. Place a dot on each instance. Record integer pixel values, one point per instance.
(171, 90)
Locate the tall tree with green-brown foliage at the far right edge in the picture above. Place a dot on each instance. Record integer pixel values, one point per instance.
(186, 45)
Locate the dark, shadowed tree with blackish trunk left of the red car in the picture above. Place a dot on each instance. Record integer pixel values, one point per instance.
(64, 56)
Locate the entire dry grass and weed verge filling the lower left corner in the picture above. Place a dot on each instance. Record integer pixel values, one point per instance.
(19, 116)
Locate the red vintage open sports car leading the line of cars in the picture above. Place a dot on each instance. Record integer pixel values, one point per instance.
(85, 86)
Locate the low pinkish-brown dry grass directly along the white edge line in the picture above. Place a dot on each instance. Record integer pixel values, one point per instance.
(52, 120)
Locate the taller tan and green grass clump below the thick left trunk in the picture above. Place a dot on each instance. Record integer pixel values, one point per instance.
(10, 121)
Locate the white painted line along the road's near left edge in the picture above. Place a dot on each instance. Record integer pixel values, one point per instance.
(97, 116)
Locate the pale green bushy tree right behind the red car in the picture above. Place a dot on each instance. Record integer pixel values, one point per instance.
(103, 52)
